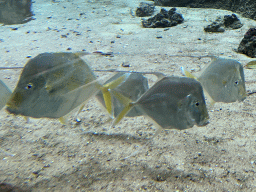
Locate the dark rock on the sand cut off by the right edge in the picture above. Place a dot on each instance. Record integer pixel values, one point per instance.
(248, 44)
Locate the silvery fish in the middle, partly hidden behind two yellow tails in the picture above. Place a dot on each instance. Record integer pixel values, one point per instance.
(133, 86)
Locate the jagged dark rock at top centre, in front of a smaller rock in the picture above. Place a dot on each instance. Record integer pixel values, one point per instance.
(164, 19)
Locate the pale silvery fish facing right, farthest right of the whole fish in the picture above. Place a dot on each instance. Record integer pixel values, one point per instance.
(223, 80)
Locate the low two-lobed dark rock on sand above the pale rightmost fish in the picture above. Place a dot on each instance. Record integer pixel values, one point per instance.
(228, 22)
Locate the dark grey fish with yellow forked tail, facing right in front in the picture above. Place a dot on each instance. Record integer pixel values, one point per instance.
(172, 103)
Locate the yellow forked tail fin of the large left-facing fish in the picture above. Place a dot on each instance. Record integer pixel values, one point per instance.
(106, 93)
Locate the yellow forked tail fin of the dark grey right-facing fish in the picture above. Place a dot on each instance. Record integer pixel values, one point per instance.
(128, 106)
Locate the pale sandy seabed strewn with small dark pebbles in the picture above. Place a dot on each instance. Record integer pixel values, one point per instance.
(45, 155)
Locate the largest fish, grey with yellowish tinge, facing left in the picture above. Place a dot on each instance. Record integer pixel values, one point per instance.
(53, 84)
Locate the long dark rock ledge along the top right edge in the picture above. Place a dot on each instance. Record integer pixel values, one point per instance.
(247, 8)
